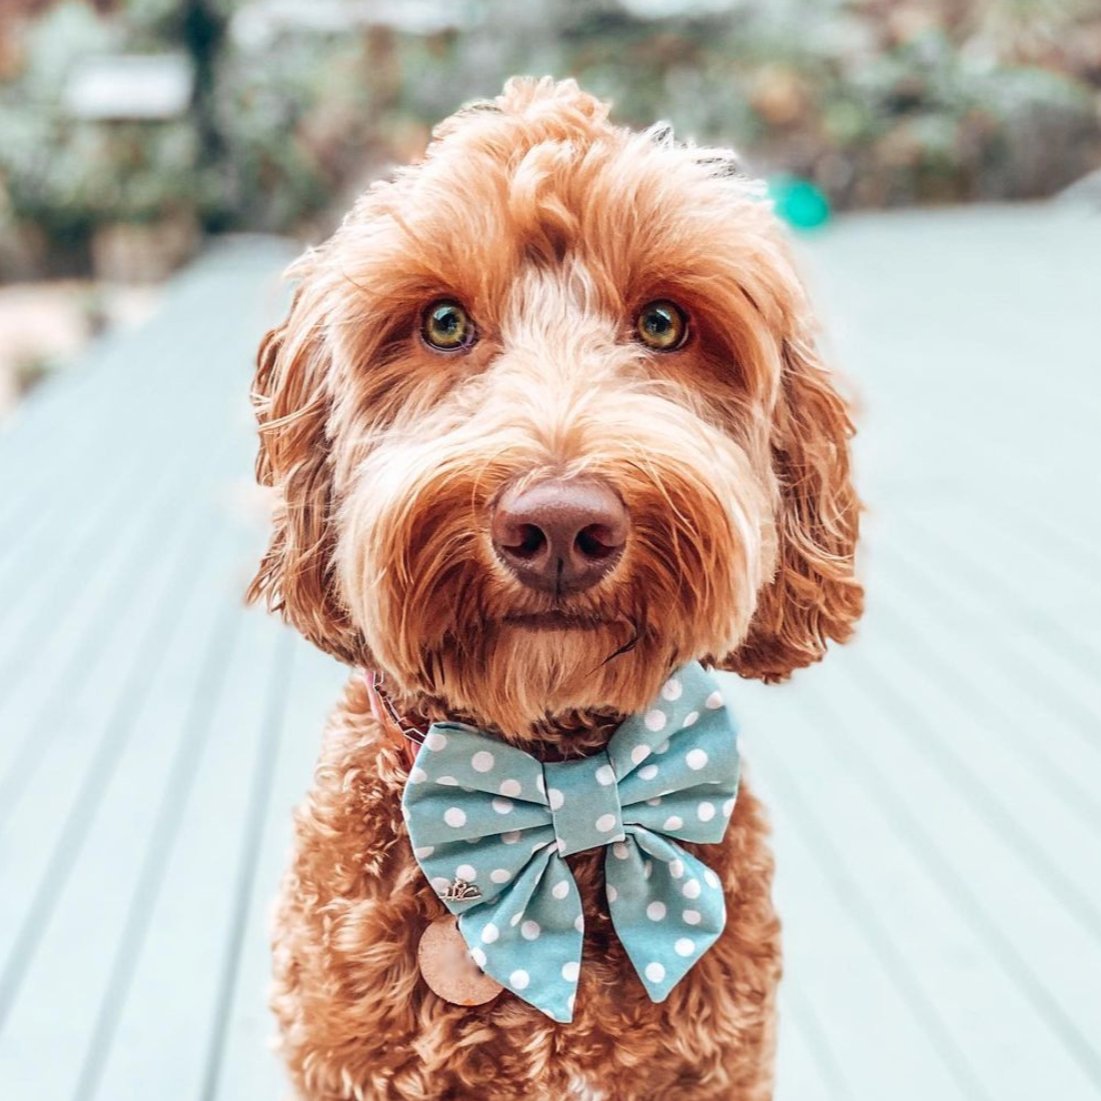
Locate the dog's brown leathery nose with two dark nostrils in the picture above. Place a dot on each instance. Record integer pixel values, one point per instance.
(561, 536)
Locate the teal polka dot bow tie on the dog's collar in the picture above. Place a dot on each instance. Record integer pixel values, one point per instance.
(490, 826)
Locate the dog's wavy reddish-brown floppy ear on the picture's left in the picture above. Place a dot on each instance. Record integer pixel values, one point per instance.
(292, 400)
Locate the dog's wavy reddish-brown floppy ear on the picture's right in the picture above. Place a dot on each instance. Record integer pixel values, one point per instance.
(815, 595)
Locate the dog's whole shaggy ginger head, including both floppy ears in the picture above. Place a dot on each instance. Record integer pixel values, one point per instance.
(547, 422)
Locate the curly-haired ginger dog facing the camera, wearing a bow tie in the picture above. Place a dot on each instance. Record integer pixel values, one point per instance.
(546, 423)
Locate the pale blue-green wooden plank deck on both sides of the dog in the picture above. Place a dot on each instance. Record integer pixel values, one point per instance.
(935, 788)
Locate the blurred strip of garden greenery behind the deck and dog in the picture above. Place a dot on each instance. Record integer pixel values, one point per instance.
(130, 129)
